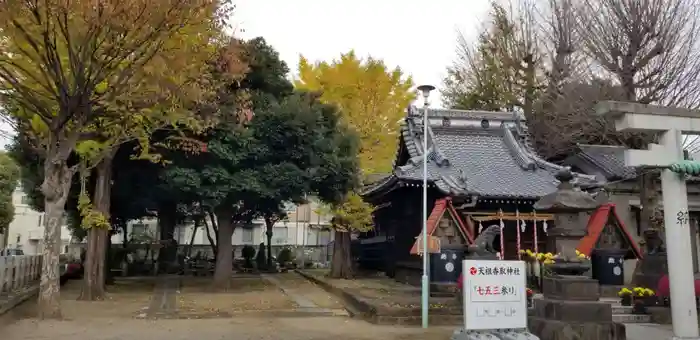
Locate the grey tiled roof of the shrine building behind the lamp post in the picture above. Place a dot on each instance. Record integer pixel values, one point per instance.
(467, 157)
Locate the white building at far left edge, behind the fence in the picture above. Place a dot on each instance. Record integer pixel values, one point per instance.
(26, 231)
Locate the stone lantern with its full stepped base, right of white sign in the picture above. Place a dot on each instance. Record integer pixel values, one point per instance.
(570, 306)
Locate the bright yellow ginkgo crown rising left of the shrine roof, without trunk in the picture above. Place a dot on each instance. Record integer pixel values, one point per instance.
(372, 98)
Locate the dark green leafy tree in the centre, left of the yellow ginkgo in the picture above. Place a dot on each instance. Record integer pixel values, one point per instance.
(288, 150)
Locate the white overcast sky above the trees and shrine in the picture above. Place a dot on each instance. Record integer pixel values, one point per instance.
(418, 36)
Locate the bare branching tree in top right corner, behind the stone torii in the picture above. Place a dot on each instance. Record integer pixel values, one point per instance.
(649, 48)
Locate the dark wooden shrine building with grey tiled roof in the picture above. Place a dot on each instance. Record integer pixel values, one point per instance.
(482, 171)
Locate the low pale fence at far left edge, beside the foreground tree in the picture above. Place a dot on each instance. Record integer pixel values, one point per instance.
(18, 272)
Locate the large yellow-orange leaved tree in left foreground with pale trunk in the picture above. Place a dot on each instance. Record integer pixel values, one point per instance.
(76, 70)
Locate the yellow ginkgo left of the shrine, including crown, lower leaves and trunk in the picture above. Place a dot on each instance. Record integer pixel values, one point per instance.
(372, 99)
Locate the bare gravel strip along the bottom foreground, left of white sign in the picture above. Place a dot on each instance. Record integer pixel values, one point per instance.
(240, 328)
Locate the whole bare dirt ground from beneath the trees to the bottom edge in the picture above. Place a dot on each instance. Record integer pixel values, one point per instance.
(254, 308)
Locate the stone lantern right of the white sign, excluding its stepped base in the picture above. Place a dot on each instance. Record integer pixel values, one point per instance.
(571, 208)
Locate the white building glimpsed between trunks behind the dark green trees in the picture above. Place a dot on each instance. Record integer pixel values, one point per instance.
(302, 227)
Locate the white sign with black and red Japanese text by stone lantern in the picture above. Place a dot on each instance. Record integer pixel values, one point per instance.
(494, 294)
